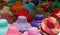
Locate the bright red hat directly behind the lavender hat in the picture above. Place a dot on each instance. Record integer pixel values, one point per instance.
(23, 12)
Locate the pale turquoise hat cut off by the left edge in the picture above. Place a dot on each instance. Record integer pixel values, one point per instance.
(4, 25)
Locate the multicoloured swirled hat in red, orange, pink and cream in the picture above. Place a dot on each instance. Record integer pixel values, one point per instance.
(49, 25)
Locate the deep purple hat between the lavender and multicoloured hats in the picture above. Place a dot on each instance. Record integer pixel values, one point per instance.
(36, 22)
